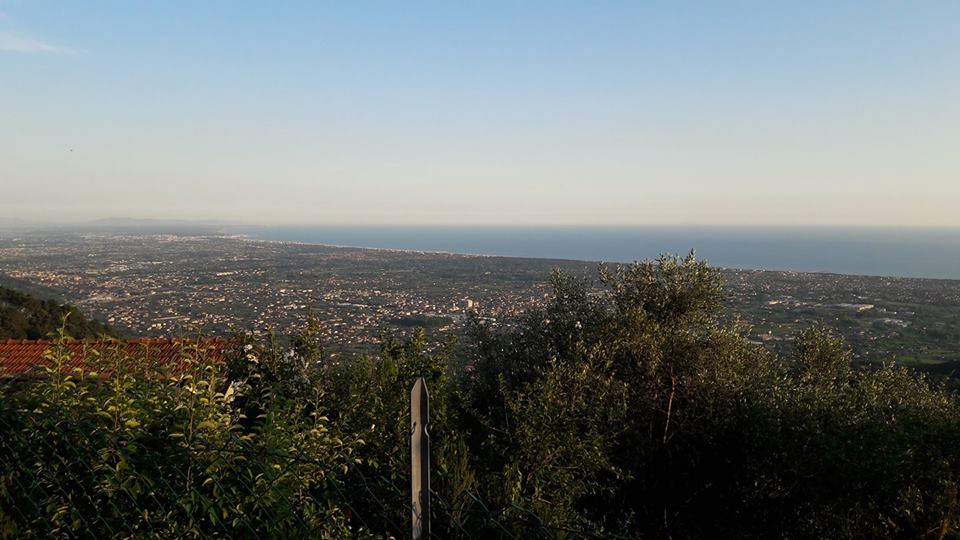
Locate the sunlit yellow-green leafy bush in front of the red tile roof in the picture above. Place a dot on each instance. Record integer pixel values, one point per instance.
(146, 451)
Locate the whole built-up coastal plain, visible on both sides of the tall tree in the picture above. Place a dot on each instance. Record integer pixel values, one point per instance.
(182, 284)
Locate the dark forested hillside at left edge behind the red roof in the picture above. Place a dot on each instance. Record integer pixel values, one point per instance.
(23, 316)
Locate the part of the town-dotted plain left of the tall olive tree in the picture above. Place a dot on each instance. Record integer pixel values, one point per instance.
(169, 284)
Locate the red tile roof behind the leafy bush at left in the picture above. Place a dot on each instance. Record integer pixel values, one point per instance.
(18, 356)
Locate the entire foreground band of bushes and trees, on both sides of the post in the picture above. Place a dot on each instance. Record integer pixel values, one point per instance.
(640, 412)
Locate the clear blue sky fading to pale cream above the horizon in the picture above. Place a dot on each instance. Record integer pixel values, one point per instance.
(506, 113)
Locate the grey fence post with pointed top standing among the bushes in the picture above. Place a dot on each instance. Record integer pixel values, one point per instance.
(420, 459)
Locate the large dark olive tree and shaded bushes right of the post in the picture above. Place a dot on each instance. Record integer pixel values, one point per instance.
(645, 414)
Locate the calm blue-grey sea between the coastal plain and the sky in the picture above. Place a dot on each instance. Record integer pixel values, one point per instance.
(931, 253)
